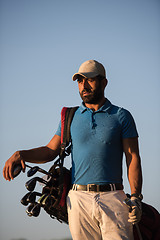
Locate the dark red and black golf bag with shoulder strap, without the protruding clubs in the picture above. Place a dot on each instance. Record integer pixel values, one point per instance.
(55, 192)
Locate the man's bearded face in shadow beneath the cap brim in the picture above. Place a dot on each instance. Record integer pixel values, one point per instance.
(90, 89)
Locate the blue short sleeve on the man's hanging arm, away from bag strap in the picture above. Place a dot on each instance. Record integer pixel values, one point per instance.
(127, 122)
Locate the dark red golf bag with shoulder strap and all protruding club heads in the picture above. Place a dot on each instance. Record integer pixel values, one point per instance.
(58, 182)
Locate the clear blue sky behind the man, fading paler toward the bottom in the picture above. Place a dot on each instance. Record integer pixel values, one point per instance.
(42, 44)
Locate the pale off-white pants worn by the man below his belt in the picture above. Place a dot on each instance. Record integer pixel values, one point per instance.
(98, 216)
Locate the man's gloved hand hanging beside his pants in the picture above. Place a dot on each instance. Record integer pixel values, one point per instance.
(135, 212)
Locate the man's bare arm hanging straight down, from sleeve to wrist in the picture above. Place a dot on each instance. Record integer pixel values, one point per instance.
(131, 150)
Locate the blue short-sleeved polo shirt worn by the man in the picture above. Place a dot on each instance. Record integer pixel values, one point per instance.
(97, 149)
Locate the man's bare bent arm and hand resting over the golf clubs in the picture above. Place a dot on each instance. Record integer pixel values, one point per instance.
(35, 155)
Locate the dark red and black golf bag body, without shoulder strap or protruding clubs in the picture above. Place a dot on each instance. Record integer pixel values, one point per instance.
(54, 194)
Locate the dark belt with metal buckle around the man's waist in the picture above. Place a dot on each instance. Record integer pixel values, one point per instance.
(98, 188)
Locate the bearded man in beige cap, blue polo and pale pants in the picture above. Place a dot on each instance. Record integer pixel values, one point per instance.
(100, 133)
